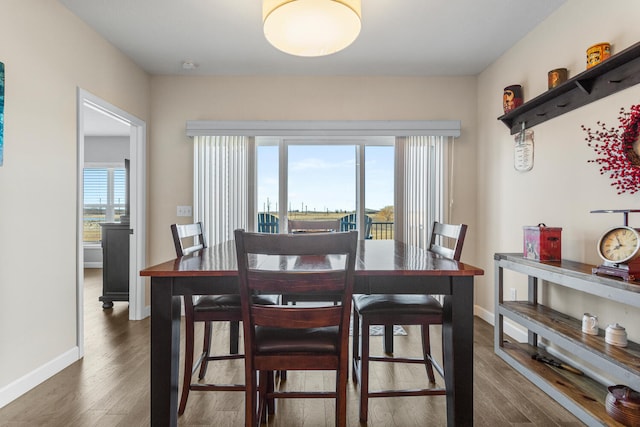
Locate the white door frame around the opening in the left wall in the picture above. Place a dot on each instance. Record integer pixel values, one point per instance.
(137, 255)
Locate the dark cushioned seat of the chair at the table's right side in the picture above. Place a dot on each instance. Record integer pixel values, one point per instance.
(390, 304)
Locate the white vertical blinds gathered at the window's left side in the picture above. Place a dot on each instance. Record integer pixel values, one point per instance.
(220, 171)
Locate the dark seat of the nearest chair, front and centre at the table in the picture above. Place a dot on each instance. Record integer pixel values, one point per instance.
(278, 340)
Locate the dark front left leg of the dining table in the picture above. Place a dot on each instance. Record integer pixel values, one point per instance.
(165, 352)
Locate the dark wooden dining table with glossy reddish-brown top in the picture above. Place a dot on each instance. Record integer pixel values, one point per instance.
(382, 267)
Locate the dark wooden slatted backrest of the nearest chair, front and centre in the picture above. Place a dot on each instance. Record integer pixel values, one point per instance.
(295, 263)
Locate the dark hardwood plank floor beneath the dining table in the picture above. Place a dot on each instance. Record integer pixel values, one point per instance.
(110, 385)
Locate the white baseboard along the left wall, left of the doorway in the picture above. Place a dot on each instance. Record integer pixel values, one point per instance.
(17, 388)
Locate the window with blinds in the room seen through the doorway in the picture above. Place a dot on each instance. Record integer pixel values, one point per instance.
(104, 199)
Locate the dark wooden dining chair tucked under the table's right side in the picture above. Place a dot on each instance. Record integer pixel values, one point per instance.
(389, 309)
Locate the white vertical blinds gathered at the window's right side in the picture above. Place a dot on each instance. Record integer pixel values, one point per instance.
(423, 186)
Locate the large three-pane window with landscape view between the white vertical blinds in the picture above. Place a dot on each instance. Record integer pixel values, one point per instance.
(351, 180)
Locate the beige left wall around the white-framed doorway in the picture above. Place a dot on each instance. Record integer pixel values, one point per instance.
(48, 53)
